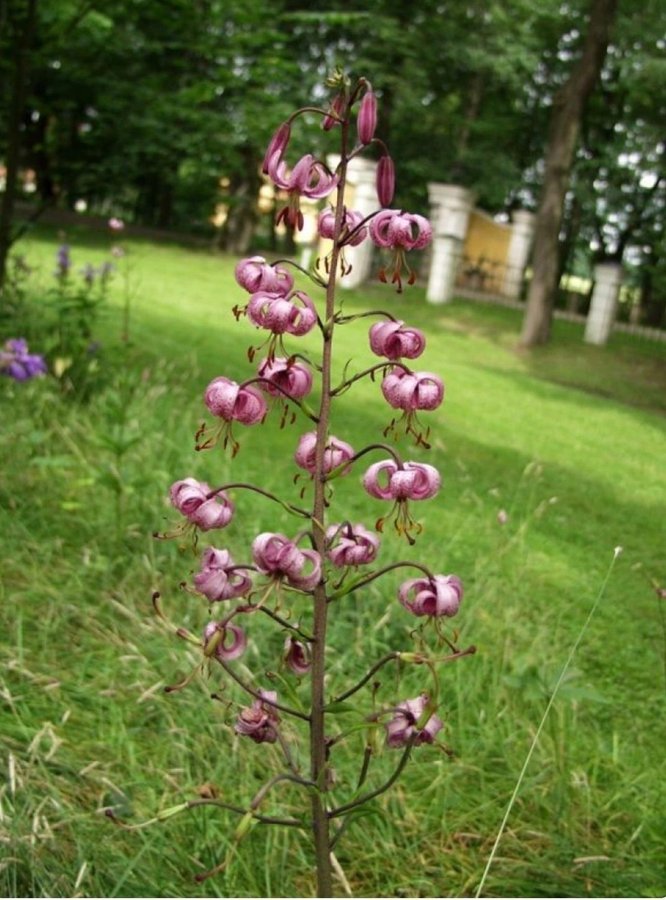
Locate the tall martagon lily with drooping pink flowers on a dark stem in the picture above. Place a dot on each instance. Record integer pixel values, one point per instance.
(299, 579)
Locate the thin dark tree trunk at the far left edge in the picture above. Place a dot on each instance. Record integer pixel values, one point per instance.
(23, 39)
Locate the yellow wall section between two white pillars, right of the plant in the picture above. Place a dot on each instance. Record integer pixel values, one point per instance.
(485, 252)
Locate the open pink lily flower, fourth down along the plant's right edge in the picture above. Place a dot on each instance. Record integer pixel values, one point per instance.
(411, 481)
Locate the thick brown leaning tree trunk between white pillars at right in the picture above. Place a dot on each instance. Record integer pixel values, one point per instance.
(568, 107)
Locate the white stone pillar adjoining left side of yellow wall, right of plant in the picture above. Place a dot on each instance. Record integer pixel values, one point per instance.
(450, 206)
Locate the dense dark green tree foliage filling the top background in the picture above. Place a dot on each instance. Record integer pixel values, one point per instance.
(156, 111)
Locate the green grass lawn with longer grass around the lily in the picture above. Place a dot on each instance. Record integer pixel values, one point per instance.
(569, 440)
